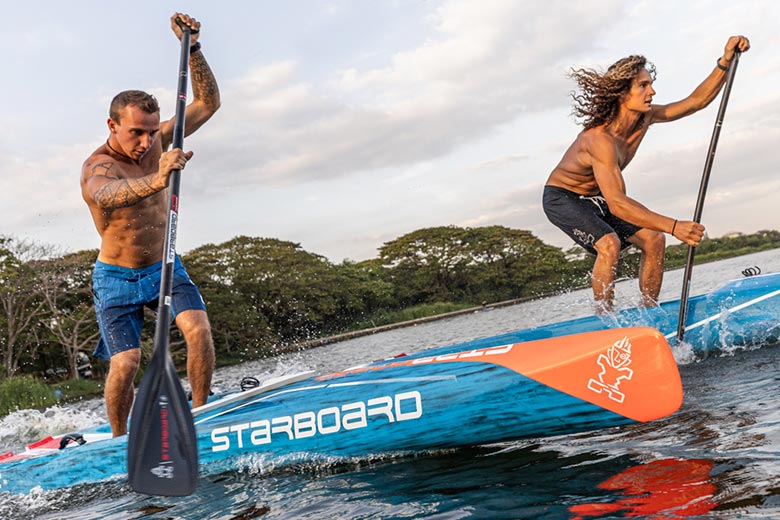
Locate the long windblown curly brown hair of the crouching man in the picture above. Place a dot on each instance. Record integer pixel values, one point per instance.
(599, 98)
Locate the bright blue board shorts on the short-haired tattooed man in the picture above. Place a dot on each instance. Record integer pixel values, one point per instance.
(120, 295)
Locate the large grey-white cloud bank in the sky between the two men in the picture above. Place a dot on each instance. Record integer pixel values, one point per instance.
(482, 66)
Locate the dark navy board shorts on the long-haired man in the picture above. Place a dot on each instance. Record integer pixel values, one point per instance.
(584, 219)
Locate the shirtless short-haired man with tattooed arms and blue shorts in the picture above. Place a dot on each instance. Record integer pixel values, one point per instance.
(124, 185)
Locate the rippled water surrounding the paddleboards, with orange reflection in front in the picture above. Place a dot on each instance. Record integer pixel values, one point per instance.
(718, 457)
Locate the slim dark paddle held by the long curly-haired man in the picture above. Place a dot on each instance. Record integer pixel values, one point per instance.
(703, 191)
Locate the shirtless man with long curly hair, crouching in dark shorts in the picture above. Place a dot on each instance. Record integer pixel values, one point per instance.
(585, 195)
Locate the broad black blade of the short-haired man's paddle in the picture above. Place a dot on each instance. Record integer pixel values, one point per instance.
(162, 449)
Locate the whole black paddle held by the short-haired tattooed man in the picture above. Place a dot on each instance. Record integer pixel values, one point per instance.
(162, 449)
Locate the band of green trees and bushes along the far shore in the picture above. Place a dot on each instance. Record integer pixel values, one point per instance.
(267, 297)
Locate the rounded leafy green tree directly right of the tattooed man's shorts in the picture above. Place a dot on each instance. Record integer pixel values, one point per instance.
(262, 291)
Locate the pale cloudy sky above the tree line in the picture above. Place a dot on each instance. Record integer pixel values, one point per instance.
(347, 124)
